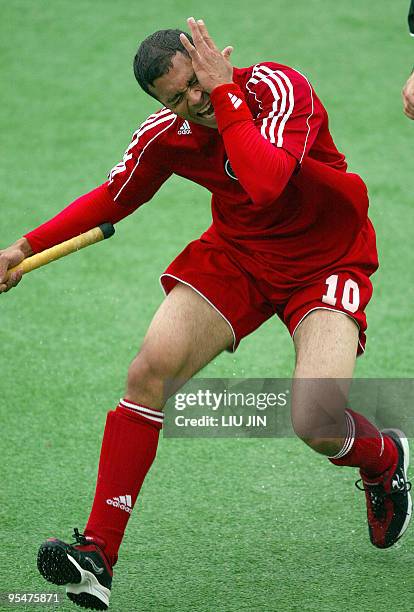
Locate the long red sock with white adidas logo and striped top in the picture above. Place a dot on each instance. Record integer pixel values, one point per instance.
(128, 449)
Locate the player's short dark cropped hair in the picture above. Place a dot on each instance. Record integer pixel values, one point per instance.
(154, 56)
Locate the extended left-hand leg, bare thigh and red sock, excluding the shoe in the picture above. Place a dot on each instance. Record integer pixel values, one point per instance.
(185, 334)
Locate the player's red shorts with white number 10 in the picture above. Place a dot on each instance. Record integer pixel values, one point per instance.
(246, 291)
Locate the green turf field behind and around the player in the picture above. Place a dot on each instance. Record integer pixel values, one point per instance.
(222, 525)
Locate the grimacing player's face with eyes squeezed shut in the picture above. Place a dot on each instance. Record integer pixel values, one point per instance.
(180, 91)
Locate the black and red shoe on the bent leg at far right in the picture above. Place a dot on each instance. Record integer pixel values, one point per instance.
(388, 499)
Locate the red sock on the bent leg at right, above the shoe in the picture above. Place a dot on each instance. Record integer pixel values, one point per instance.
(365, 447)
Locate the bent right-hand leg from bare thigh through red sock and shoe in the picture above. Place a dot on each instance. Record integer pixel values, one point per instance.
(326, 344)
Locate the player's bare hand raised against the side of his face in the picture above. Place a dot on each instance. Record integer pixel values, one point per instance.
(212, 67)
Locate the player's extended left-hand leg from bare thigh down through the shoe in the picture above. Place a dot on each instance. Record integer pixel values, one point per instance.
(185, 334)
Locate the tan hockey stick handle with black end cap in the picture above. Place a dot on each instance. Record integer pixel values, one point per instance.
(106, 230)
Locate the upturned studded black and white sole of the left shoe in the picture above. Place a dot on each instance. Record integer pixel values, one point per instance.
(82, 587)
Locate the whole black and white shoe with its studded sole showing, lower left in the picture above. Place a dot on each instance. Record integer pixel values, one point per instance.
(81, 566)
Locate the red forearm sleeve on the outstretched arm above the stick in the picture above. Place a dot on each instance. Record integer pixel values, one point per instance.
(88, 211)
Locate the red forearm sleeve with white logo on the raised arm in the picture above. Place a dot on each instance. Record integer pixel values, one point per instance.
(262, 169)
